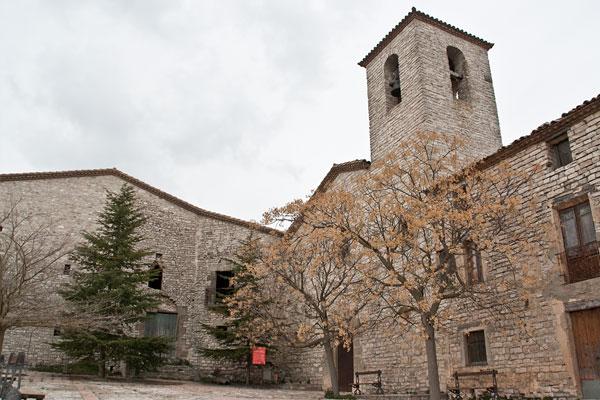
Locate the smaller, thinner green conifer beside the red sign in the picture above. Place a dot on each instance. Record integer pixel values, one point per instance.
(234, 344)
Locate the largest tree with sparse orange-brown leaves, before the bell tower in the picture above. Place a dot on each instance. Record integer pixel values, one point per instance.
(425, 219)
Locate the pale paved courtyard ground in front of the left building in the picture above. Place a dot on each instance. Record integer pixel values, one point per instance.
(64, 388)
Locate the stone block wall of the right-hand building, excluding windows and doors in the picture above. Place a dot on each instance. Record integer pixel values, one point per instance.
(531, 347)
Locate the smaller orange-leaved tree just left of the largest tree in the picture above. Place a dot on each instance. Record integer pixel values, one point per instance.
(303, 294)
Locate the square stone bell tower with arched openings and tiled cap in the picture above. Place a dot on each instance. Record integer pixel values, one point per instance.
(427, 75)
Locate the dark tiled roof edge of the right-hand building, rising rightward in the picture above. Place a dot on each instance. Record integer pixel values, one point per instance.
(544, 131)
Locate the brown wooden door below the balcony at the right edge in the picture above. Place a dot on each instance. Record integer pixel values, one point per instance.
(586, 332)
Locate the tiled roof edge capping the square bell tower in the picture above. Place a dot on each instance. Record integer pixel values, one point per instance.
(421, 16)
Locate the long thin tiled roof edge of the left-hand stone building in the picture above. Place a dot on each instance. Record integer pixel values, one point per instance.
(142, 185)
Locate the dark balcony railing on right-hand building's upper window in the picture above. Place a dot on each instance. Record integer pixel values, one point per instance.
(582, 262)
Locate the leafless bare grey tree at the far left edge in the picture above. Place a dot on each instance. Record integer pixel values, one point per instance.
(29, 252)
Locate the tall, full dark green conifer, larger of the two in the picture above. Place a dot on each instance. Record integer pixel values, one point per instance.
(110, 286)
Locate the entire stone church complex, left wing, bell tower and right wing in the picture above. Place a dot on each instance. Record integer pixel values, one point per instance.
(424, 75)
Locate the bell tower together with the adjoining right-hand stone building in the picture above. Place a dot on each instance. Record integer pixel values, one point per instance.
(426, 75)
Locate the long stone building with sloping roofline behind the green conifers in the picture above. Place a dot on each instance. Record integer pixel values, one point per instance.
(190, 245)
